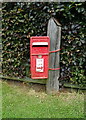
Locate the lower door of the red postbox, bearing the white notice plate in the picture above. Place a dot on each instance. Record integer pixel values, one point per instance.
(39, 69)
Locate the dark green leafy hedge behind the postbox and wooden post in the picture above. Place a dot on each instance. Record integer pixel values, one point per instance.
(20, 21)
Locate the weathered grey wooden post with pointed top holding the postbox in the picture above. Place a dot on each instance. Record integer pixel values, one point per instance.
(54, 32)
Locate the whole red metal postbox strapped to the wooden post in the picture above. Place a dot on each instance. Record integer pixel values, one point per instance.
(39, 56)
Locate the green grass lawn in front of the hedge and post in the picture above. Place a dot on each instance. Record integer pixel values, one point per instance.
(25, 102)
